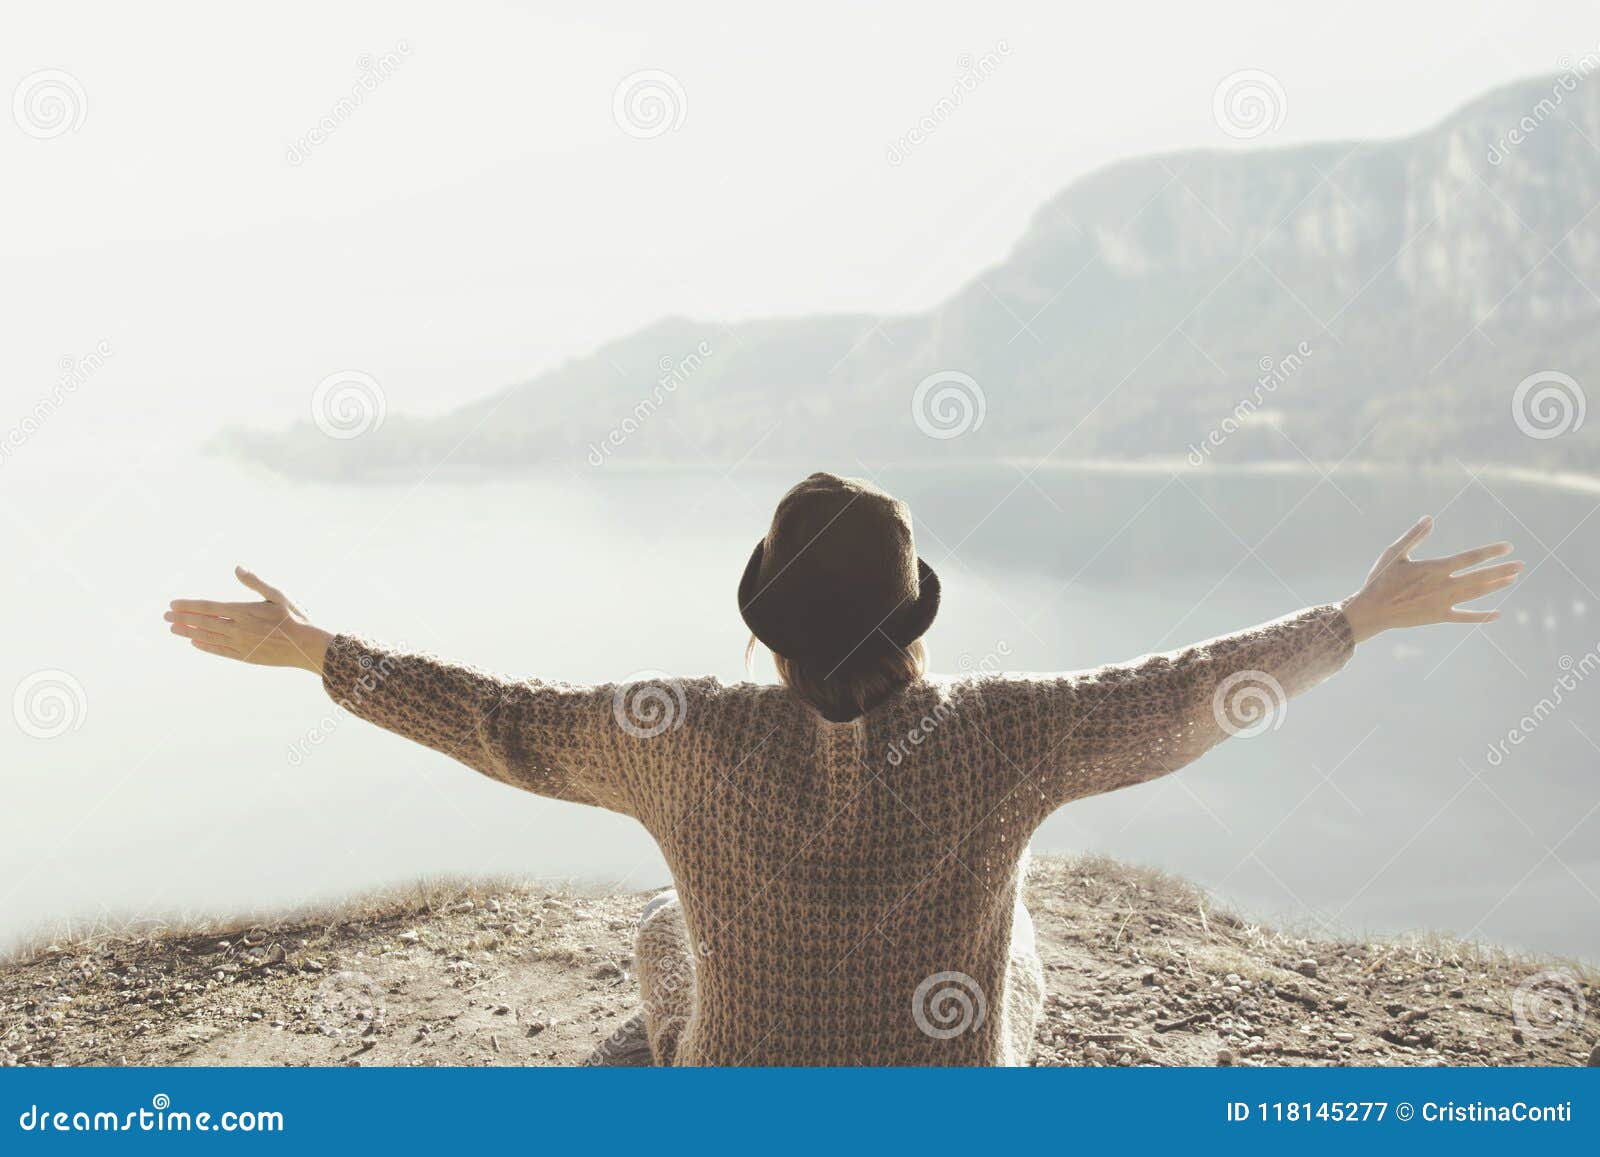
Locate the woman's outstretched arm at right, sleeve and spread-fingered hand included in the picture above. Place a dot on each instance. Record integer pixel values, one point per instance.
(1095, 732)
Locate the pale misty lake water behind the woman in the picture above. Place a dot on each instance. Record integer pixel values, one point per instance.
(1380, 806)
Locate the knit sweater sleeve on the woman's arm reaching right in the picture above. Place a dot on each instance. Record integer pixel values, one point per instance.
(1095, 732)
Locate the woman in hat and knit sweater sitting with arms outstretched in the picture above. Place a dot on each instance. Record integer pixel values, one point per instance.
(849, 846)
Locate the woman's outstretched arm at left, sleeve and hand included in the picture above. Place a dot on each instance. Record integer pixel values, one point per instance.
(548, 739)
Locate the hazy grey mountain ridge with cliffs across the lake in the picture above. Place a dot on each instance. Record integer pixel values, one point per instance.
(1415, 300)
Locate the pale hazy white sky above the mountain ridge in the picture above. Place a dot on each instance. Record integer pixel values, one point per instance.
(482, 212)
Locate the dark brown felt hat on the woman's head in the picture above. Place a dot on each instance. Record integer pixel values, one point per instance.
(838, 578)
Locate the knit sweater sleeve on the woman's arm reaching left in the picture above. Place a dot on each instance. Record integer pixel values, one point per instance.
(556, 740)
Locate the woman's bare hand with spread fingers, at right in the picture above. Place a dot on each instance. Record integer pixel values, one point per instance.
(1406, 593)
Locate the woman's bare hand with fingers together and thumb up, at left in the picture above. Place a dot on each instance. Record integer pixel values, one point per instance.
(273, 631)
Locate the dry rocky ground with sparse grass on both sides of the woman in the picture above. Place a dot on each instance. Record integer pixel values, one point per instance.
(1142, 971)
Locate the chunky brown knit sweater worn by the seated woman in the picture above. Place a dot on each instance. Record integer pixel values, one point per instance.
(849, 889)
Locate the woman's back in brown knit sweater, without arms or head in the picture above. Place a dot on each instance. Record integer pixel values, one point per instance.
(828, 871)
